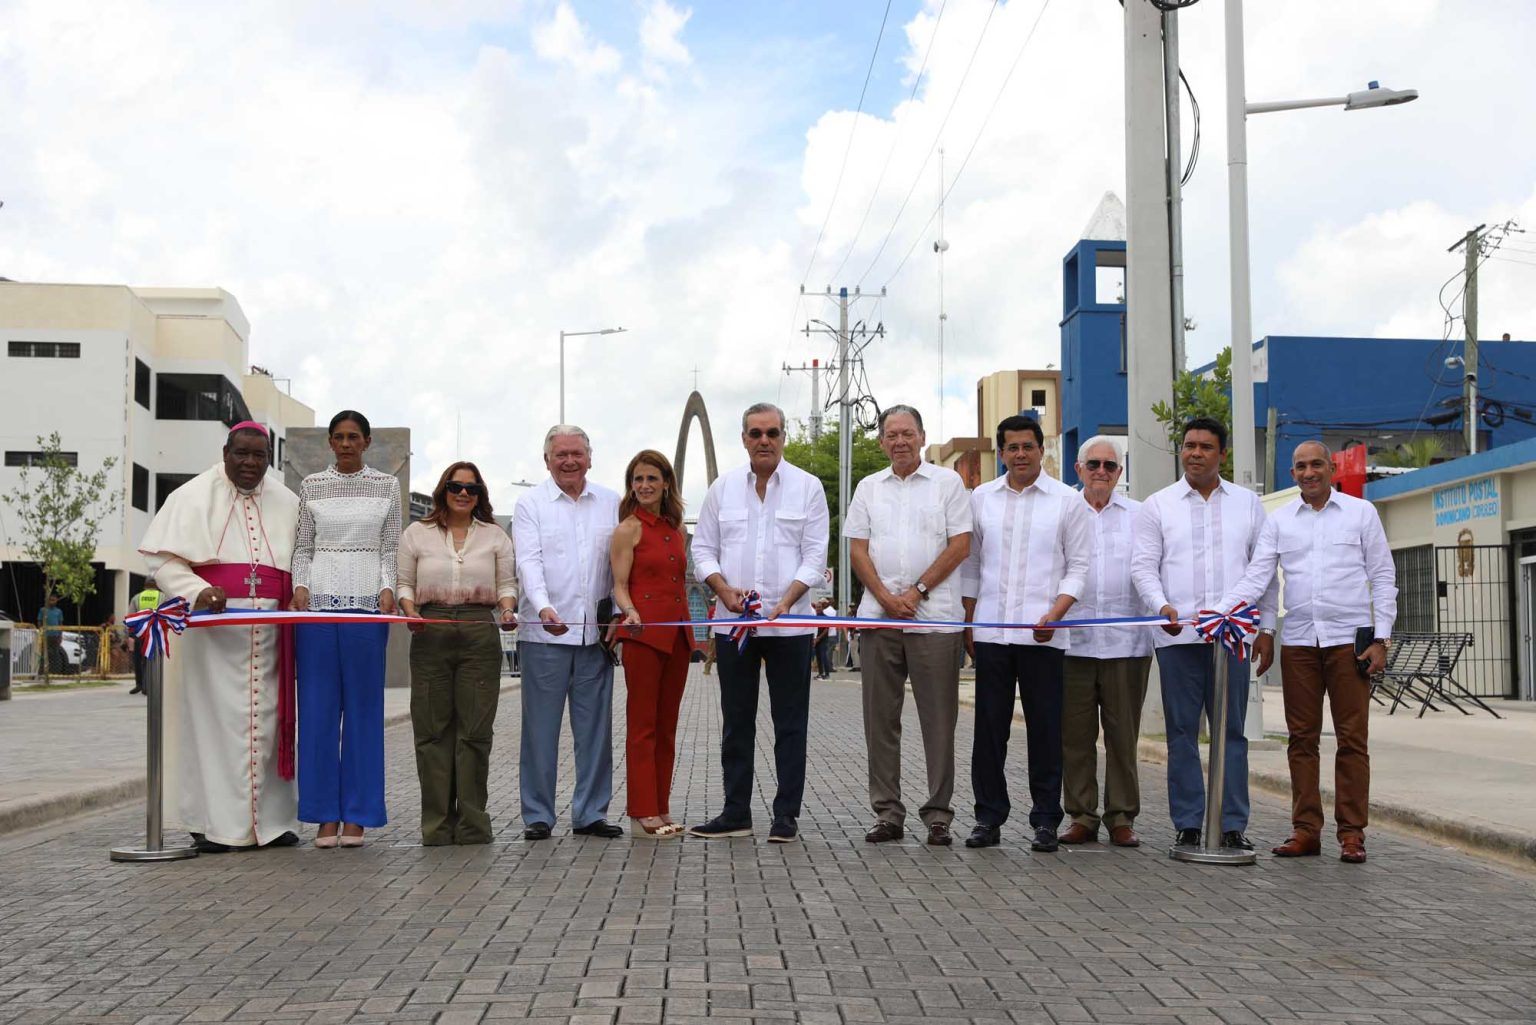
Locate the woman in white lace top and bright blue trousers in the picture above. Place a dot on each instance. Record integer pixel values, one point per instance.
(343, 562)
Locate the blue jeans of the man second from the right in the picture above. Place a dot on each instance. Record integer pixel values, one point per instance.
(1188, 672)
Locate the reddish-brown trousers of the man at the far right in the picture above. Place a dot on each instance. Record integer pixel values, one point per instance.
(1308, 674)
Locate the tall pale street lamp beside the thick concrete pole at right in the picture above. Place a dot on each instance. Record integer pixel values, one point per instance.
(1239, 108)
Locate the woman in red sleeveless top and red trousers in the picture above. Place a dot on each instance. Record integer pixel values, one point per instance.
(650, 572)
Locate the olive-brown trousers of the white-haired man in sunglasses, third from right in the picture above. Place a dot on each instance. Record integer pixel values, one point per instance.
(1110, 691)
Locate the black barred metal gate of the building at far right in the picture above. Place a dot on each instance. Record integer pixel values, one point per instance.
(1475, 594)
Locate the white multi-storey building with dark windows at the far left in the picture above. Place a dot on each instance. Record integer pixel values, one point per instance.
(150, 377)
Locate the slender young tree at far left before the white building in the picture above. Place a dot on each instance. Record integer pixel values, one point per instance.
(62, 511)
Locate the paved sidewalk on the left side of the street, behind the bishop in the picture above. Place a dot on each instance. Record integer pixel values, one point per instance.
(76, 751)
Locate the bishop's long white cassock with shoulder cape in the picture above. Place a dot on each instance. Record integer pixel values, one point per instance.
(222, 683)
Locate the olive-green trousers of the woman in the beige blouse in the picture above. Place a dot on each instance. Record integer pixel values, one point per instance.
(455, 685)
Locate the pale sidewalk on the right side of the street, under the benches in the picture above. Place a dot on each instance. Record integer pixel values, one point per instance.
(1466, 780)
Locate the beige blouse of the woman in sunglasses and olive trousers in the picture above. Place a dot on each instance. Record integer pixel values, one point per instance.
(432, 572)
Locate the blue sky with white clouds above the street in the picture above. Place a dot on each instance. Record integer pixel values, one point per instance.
(412, 201)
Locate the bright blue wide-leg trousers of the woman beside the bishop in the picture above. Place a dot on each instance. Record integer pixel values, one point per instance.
(342, 723)
